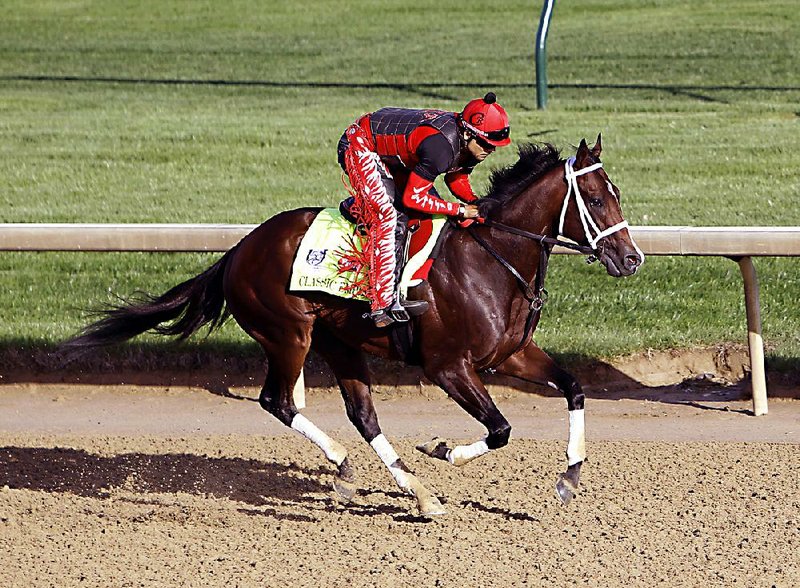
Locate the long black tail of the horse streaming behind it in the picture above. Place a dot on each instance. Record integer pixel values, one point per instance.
(185, 308)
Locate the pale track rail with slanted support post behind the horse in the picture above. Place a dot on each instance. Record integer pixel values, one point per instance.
(738, 243)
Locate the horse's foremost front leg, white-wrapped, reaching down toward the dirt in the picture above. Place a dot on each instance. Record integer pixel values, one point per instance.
(534, 365)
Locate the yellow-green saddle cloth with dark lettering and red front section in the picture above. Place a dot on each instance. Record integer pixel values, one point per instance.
(322, 263)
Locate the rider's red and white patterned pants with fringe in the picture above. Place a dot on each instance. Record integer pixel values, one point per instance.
(375, 206)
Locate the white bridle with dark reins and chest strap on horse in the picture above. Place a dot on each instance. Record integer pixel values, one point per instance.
(537, 295)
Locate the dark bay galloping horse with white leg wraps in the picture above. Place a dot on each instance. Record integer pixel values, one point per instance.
(485, 290)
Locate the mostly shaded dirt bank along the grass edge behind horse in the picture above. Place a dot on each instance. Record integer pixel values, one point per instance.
(720, 373)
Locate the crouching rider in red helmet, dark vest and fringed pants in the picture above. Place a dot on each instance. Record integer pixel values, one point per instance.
(392, 157)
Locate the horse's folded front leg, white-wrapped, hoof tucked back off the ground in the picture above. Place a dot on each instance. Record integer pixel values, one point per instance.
(464, 386)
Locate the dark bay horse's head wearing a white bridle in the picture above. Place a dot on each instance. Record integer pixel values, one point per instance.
(591, 213)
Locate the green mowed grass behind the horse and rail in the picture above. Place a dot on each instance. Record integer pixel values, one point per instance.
(168, 112)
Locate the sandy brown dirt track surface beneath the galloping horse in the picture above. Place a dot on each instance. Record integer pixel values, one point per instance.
(182, 486)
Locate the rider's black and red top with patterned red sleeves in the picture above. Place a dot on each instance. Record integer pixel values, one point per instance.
(426, 144)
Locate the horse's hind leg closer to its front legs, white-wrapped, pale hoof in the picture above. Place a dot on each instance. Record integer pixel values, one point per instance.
(351, 371)
